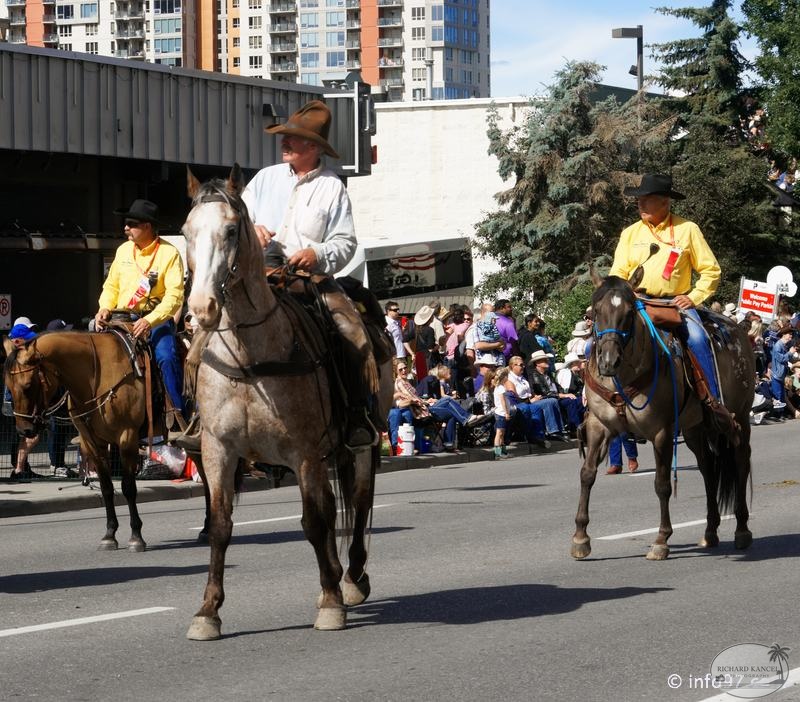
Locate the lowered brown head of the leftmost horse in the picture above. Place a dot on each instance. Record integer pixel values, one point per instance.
(30, 388)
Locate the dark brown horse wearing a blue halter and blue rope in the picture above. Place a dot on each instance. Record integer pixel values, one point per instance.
(630, 388)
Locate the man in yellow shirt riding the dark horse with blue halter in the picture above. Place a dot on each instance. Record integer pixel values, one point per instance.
(682, 250)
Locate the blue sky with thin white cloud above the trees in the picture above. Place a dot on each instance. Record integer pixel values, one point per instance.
(532, 39)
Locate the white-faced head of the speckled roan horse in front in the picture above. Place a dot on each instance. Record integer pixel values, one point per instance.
(221, 246)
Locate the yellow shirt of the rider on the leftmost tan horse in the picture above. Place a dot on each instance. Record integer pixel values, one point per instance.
(162, 263)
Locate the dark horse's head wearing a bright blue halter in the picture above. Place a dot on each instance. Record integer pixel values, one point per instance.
(614, 311)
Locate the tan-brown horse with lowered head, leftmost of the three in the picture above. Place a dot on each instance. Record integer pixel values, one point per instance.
(106, 404)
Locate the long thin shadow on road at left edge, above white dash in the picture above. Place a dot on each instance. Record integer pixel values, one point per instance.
(25, 583)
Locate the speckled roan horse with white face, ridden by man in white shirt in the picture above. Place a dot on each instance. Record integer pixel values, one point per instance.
(263, 394)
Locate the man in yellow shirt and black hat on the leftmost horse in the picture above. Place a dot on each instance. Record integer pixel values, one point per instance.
(146, 279)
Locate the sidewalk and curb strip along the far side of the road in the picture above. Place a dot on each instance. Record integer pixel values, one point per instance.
(52, 495)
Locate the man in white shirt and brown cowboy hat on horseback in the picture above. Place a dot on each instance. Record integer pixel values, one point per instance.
(302, 214)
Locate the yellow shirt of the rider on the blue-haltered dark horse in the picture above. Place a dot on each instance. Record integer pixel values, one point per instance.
(695, 255)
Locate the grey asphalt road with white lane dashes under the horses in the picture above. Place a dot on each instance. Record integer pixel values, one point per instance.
(474, 594)
